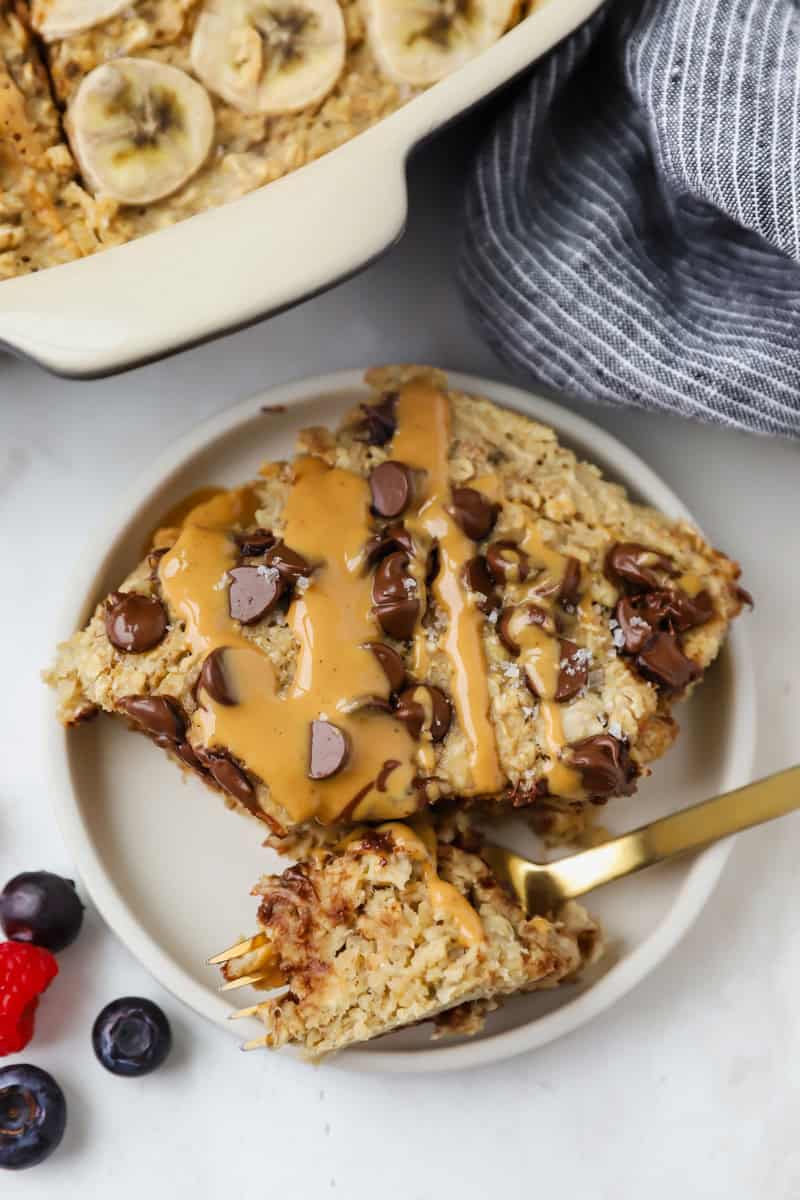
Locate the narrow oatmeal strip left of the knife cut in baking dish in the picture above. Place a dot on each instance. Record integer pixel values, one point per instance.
(41, 219)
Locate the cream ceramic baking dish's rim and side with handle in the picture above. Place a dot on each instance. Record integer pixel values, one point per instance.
(231, 267)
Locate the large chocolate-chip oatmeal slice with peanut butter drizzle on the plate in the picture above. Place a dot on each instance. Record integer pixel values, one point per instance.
(437, 602)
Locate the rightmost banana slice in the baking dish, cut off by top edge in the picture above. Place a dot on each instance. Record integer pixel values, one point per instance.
(420, 41)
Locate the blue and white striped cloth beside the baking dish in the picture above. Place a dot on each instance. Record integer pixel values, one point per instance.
(634, 220)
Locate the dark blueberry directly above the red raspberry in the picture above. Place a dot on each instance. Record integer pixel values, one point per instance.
(41, 908)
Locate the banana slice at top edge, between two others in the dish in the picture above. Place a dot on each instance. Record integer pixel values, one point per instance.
(269, 56)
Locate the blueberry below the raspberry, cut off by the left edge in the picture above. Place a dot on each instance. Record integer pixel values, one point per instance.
(33, 1115)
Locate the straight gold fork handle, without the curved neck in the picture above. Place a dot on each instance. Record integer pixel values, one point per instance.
(682, 832)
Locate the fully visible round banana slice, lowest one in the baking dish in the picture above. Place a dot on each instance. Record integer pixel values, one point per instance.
(140, 129)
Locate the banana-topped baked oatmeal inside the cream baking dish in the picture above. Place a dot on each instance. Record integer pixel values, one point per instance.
(171, 107)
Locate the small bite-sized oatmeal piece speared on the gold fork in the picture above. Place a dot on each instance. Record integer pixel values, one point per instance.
(394, 928)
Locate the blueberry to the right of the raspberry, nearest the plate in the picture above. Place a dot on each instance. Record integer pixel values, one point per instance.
(131, 1036)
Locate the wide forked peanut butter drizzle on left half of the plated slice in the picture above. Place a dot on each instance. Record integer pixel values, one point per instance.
(327, 521)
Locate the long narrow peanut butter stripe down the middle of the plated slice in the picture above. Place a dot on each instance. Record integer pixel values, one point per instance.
(423, 442)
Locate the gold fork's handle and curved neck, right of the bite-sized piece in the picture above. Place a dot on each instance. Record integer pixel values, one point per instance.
(542, 887)
